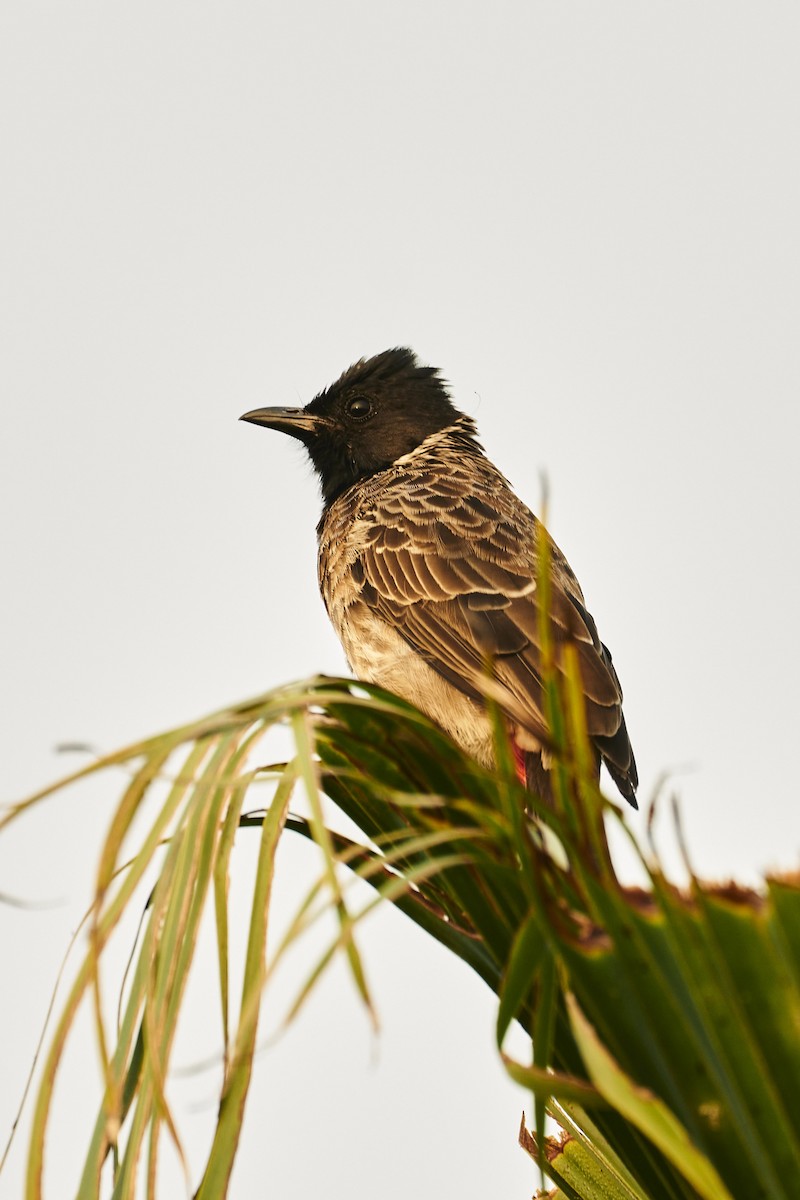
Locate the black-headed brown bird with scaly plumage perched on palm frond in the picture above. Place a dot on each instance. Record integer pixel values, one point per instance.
(429, 567)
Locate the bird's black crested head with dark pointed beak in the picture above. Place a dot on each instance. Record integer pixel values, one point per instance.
(378, 411)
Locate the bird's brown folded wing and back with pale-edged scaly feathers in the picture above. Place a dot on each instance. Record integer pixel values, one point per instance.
(456, 575)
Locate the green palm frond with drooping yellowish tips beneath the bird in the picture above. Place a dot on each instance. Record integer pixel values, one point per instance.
(665, 1027)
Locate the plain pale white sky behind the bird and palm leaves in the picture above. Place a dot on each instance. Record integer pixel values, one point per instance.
(587, 215)
